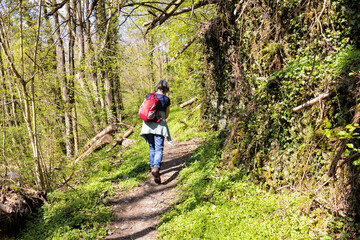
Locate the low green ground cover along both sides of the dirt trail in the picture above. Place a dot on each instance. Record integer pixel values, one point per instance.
(215, 202)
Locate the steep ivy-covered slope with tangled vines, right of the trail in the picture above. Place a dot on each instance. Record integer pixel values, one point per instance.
(263, 59)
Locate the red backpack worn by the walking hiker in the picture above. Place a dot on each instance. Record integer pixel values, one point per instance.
(148, 111)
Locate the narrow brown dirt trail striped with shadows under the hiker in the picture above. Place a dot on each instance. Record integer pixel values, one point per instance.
(138, 212)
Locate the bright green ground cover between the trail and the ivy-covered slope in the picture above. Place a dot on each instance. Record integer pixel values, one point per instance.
(217, 203)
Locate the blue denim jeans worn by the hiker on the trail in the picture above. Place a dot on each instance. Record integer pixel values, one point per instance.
(156, 146)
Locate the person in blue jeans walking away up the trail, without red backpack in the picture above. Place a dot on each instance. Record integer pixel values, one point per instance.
(155, 132)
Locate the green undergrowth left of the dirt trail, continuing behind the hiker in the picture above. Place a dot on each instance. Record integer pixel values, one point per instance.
(79, 210)
